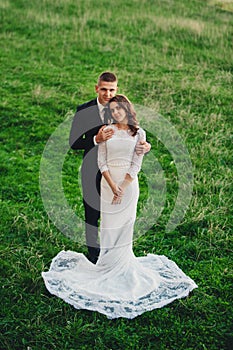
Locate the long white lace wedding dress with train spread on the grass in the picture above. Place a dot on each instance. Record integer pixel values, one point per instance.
(120, 284)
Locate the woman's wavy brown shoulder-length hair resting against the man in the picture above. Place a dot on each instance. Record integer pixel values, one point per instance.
(124, 103)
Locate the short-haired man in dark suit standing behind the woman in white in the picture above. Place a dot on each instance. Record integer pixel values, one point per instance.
(86, 133)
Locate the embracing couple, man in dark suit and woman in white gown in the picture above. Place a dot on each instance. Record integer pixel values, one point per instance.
(112, 280)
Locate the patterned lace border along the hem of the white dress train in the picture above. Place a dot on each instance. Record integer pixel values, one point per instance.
(175, 285)
